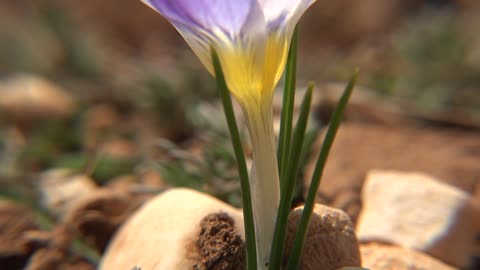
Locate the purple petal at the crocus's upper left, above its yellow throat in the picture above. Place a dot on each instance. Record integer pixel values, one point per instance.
(208, 15)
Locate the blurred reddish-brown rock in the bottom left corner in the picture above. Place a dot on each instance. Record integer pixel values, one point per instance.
(15, 222)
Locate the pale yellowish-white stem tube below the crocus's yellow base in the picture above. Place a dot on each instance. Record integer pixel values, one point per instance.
(264, 180)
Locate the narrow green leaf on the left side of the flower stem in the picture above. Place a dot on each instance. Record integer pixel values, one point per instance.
(242, 166)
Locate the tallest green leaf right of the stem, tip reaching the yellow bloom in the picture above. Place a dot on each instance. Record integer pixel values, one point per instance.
(285, 135)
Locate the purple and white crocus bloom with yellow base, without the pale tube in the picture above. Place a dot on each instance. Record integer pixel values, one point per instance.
(251, 37)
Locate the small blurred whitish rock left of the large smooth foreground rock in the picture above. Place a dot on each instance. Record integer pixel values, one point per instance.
(60, 190)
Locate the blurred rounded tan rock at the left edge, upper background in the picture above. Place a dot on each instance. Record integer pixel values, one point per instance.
(30, 97)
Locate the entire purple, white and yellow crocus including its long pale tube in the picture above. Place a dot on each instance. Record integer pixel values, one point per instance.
(251, 38)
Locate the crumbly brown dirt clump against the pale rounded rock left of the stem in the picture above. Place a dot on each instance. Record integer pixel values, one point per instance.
(219, 245)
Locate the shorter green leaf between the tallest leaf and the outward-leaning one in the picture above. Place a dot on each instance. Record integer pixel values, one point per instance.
(290, 176)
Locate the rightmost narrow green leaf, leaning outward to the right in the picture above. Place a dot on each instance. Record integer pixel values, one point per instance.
(299, 240)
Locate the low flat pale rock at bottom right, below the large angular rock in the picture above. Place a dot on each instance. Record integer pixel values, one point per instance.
(384, 257)
